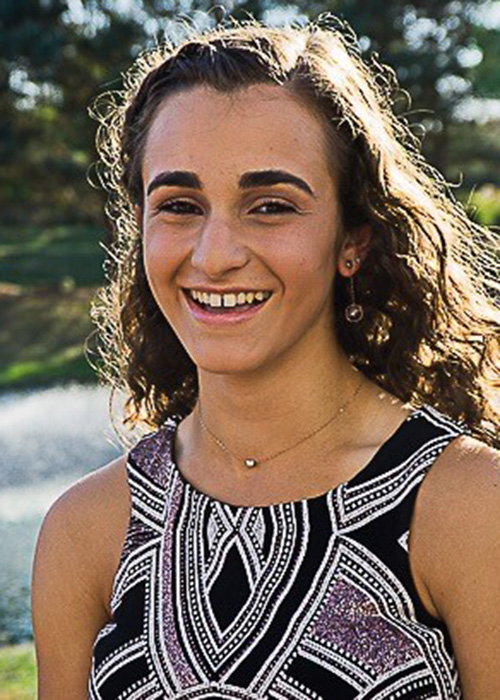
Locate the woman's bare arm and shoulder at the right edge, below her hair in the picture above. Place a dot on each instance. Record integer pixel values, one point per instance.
(463, 566)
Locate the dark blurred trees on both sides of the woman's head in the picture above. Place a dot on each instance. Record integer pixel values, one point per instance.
(56, 55)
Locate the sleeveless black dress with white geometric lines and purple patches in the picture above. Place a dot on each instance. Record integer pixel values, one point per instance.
(305, 600)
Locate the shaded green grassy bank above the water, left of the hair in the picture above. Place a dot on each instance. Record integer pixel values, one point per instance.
(47, 279)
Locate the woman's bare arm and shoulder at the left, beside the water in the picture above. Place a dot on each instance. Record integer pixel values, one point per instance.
(76, 557)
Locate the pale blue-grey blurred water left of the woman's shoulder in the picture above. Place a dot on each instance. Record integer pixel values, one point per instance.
(49, 438)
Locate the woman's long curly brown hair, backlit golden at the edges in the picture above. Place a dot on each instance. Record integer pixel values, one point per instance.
(430, 331)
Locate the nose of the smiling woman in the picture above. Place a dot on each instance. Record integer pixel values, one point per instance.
(218, 248)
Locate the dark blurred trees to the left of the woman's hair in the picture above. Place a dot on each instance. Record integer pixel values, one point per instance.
(50, 68)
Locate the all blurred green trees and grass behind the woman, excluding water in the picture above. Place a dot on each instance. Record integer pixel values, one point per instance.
(57, 55)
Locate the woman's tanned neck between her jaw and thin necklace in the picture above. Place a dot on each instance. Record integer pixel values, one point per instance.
(263, 412)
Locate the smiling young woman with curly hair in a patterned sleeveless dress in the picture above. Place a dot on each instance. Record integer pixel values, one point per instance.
(298, 310)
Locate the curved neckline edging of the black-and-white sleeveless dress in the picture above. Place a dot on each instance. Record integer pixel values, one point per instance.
(171, 425)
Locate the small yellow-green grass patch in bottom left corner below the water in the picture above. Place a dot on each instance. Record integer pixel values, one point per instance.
(17, 672)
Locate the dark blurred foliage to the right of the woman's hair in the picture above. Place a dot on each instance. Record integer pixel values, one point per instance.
(446, 55)
